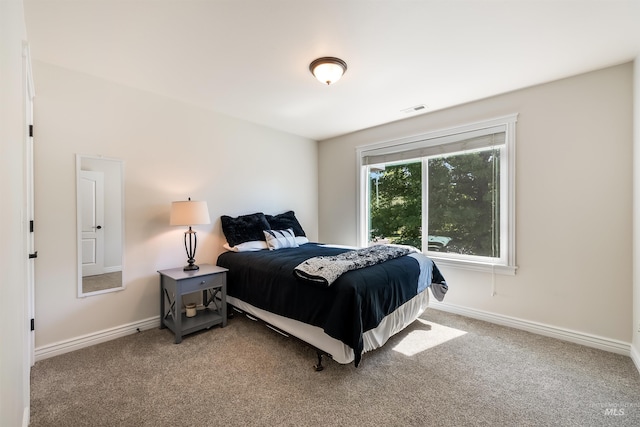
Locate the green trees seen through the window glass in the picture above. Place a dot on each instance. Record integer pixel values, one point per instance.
(462, 194)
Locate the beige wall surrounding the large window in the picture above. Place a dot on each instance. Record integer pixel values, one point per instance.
(574, 211)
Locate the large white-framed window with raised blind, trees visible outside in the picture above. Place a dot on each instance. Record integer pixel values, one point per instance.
(449, 193)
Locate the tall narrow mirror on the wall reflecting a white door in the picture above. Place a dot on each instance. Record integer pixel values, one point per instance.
(100, 224)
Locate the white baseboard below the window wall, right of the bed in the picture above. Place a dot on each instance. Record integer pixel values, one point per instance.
(588, 340)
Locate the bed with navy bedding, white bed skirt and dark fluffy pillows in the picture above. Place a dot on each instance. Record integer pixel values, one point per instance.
(277, 276)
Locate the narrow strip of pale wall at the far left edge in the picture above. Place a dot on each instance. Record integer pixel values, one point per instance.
(14, 333)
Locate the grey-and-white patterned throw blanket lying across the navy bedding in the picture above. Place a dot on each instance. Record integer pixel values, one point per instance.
(324, 270)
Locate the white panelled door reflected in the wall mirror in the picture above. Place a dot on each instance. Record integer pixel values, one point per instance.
(91, 185)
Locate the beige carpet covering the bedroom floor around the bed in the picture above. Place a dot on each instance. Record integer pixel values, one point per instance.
(444, 370)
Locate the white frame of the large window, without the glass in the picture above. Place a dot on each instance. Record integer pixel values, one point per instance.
(506, 264)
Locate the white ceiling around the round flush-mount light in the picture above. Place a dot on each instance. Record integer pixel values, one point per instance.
(249, 58)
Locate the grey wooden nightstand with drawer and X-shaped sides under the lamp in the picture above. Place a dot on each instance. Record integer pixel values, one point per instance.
(175, 283)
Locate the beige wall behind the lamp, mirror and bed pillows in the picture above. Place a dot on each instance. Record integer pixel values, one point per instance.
(171, 151)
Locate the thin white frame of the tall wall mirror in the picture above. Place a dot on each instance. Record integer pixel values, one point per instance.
(79, 162)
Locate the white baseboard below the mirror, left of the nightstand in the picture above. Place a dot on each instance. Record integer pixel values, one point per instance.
(88, 340)
